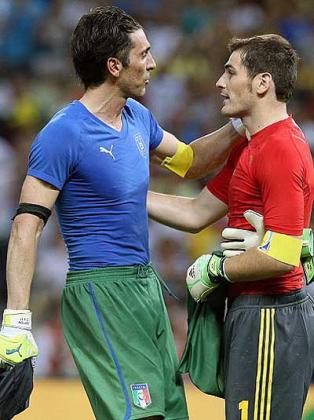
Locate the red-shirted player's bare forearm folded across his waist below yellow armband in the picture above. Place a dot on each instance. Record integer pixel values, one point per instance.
(253, 265)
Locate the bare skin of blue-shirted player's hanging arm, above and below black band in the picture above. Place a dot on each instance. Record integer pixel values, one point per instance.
(25, 234)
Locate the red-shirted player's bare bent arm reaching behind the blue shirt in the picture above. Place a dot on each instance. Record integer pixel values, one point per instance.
(183, 213)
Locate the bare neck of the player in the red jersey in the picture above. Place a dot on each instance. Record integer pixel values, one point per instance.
(263, 116)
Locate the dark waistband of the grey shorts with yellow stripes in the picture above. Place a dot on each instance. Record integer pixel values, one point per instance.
(270, 300)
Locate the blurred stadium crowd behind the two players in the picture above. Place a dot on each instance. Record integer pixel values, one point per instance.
(188, 40)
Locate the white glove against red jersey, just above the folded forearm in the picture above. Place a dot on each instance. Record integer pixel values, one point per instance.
(236, 241)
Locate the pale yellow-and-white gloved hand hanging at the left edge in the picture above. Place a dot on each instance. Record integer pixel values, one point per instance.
(16, 340)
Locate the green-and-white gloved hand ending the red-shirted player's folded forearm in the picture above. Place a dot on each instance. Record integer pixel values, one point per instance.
(205, 275)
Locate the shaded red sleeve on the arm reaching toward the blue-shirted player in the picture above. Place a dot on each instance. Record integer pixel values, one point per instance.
(219, 185)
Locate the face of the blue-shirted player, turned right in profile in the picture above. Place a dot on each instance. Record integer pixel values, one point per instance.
(134, 78)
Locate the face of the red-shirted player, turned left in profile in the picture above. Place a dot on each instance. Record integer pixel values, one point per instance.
(236, 88)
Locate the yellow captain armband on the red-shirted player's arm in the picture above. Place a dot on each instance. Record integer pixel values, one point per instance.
(284, 248)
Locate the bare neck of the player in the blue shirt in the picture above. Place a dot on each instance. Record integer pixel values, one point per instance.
(106, 104)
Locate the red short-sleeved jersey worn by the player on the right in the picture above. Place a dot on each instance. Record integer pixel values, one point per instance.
(271, 174)
